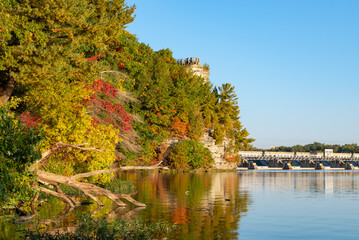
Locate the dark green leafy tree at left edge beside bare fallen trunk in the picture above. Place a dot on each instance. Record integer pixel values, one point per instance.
(17, 153)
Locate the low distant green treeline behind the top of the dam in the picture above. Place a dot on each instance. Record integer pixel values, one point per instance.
(319, 147)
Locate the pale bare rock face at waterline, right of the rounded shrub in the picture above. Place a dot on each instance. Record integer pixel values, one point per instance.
(217, 152)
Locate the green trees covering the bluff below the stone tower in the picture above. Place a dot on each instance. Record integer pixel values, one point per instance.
(173, 102)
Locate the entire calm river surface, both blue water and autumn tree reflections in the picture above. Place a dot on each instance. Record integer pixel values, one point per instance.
(234, 205)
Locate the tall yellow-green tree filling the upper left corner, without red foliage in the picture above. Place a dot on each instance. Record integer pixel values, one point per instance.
(44, 50)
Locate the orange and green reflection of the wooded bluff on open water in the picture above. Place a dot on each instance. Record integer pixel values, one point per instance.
(204, 205)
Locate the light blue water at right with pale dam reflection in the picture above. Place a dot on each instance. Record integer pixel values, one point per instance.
(301, 205)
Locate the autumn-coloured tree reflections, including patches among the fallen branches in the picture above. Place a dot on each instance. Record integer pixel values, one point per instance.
(205, 205)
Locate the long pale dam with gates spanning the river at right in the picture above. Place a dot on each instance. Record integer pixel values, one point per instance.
(291, 160)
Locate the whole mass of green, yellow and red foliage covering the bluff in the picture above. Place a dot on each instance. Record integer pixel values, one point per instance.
(74, 63)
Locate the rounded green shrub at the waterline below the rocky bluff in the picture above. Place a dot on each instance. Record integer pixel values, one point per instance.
(189, 154)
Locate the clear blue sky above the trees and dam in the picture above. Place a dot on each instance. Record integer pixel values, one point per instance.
(294, 63)
